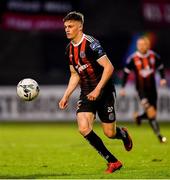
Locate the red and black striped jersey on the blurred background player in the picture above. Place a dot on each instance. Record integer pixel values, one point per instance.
(144, 67)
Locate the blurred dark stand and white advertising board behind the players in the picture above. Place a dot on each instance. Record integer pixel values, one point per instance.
(32, 44)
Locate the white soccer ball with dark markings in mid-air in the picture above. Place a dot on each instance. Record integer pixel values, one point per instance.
(28, 89)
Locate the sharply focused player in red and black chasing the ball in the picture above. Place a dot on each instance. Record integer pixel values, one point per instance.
(92, 70)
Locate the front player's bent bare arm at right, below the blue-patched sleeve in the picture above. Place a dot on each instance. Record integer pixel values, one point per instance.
(107, 73)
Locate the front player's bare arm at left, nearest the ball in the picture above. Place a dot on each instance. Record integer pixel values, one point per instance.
(73, 82)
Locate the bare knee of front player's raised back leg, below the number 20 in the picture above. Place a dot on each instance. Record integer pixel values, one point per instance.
(109, 129)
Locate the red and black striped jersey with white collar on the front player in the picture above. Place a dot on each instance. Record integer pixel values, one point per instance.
(83, 56)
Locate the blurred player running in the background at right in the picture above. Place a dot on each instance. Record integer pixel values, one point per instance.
(144, 62)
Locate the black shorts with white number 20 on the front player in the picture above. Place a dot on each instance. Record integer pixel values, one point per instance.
(104, 106)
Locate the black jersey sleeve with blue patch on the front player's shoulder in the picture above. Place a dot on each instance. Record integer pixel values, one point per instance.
(96, 49)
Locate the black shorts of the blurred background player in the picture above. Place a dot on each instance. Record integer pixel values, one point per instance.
(150, 95)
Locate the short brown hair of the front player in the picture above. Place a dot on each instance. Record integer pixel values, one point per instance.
(77, 16)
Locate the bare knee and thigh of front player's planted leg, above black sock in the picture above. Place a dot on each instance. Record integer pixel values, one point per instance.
(85, 122)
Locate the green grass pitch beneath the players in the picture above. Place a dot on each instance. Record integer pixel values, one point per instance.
(57, 151)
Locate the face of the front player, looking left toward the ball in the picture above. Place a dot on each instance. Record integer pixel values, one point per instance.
(72, 29)
